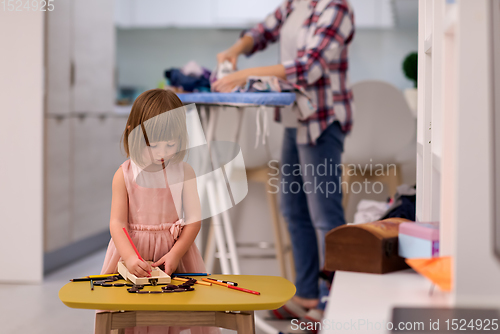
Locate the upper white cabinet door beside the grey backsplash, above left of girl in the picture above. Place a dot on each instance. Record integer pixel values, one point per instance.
(93, 56)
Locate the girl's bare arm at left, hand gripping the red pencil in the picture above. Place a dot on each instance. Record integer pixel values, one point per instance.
(119, 220)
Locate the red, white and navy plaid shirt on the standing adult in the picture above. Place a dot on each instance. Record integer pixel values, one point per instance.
(321, 64)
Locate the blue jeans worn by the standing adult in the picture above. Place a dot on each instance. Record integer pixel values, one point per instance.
(311, 203)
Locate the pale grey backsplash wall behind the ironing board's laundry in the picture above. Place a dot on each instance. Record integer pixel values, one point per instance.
(144, 54)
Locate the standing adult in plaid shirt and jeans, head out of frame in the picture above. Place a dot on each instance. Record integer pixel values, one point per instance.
(314, 38)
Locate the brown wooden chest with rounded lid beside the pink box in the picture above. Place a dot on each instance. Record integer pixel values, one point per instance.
(367, 248)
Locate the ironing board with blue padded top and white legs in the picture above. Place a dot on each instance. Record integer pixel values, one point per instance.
(223, 230)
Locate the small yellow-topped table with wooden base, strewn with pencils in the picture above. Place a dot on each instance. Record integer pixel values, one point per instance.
(206, 306)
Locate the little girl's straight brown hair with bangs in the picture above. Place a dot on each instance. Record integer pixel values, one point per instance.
(152, 119)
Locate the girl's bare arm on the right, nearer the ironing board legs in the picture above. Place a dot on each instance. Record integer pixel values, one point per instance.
(192, 217)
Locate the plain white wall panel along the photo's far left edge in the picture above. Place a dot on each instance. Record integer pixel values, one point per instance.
(21, 145)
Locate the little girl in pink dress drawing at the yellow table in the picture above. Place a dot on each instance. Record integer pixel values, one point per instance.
(155, 196)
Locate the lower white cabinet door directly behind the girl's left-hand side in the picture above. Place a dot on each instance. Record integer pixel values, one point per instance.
(96, 157)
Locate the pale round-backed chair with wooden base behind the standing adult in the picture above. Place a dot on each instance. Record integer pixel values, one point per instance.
(383, 130)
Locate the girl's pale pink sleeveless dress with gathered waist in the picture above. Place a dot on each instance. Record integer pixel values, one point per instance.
(154, 223)
